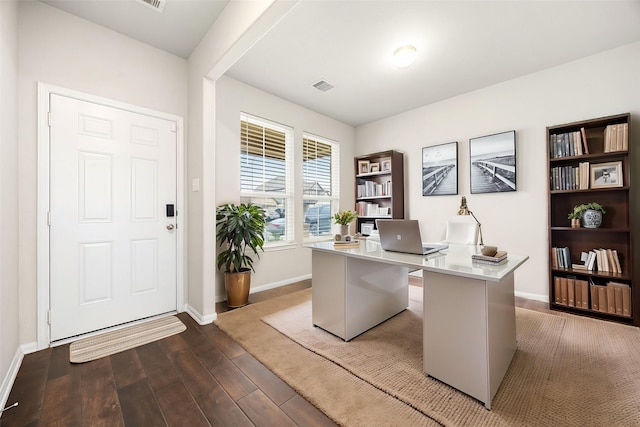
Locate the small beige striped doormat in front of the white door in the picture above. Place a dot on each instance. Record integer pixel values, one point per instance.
(109, 343)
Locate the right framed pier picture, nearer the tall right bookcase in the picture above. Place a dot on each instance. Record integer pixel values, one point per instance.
(492, 160)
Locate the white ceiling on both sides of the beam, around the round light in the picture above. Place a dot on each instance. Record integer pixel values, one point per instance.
(462, 45)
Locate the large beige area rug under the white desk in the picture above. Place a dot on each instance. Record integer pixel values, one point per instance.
(568, 370)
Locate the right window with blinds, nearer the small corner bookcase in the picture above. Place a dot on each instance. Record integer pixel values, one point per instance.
(321, 195)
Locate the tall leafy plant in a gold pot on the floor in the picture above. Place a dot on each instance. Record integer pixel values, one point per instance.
(238, 228)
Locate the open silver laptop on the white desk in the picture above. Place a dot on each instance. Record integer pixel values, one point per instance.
(403, 235)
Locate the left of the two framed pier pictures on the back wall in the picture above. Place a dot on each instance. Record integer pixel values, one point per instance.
(440, 169)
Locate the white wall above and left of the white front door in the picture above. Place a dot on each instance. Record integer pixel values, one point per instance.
(60, 49)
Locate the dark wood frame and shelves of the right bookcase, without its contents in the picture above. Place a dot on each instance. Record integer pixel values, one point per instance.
(618, 230)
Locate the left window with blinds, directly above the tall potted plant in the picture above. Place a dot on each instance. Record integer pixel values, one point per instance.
(266, 177)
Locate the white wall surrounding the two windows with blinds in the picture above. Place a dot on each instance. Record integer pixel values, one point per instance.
(275, 266)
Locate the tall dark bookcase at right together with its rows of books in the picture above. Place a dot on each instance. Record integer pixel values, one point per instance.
(590, 161)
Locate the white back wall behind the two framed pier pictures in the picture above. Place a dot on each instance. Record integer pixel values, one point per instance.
(600, 85)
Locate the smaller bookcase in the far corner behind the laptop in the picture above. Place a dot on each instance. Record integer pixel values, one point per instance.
(379, 187)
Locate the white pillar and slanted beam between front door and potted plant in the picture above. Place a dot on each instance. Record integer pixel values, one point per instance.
(238, 27)
